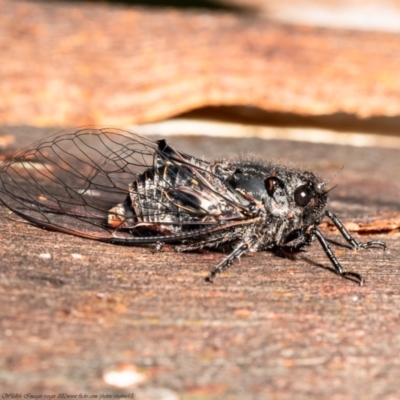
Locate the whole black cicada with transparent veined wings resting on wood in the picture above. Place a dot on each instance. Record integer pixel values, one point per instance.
(118, 187)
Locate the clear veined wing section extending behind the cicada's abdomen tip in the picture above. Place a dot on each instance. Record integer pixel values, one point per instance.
(69, 182)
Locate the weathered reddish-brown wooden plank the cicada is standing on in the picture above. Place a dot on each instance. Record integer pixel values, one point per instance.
(269, 328)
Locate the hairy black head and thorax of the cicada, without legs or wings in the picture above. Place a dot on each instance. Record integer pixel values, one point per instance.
(276, 187)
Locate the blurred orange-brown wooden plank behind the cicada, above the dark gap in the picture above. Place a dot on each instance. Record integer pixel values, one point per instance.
(82, 63)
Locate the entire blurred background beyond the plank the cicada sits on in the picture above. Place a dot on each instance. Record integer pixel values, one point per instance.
(238, 68)
